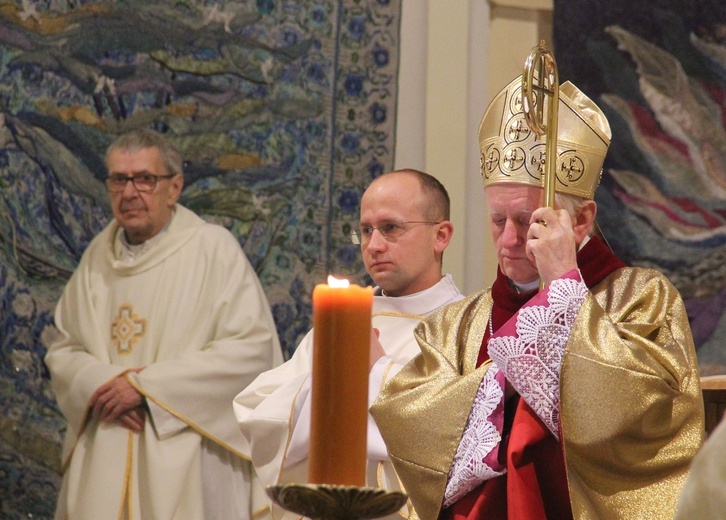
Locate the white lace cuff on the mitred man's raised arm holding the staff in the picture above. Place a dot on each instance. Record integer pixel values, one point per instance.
(531, 360)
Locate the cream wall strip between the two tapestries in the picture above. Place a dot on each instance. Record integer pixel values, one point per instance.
(455, 56)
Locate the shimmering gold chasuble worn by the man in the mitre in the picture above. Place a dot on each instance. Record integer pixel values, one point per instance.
(631, 412)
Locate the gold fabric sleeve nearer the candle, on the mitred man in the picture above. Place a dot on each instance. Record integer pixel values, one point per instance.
(432, 396)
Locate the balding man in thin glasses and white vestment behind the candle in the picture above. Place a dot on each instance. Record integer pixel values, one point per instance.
(404, 230)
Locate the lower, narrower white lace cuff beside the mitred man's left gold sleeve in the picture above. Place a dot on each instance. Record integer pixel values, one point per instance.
(481, 438)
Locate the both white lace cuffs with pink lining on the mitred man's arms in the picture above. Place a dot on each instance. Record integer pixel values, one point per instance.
(528, 350)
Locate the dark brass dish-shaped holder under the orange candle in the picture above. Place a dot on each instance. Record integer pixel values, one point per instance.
(332, 502)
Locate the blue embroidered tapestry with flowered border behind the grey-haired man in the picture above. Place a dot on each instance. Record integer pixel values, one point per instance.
(284, 112)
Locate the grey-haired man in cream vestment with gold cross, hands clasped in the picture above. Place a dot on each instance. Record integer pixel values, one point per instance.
(160, 325)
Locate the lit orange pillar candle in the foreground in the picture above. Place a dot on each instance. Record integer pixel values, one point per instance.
(339, 415)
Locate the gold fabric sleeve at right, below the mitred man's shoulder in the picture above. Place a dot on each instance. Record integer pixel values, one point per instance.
(631, 405)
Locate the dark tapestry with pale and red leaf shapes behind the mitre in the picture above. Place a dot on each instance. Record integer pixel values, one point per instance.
(658, 71)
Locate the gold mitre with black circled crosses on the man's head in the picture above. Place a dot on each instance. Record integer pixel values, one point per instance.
(511, 152)
